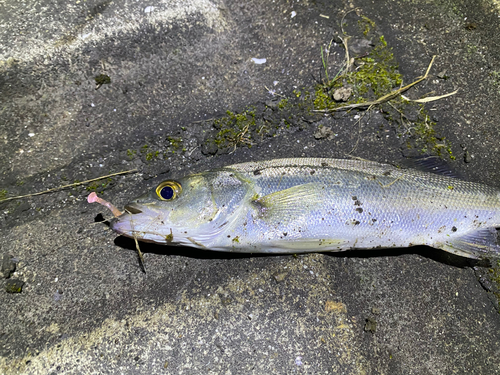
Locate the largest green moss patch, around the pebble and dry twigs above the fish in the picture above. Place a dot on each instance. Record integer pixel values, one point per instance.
(372, 77)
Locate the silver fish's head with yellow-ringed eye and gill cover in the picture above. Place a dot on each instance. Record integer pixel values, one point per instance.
(188, 211)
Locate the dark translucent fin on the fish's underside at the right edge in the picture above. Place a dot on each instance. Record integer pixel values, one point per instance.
(480, 244)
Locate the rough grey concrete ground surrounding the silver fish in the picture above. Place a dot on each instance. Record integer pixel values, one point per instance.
(91, 88)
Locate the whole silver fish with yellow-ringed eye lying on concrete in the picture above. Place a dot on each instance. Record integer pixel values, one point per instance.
(298, 205)
